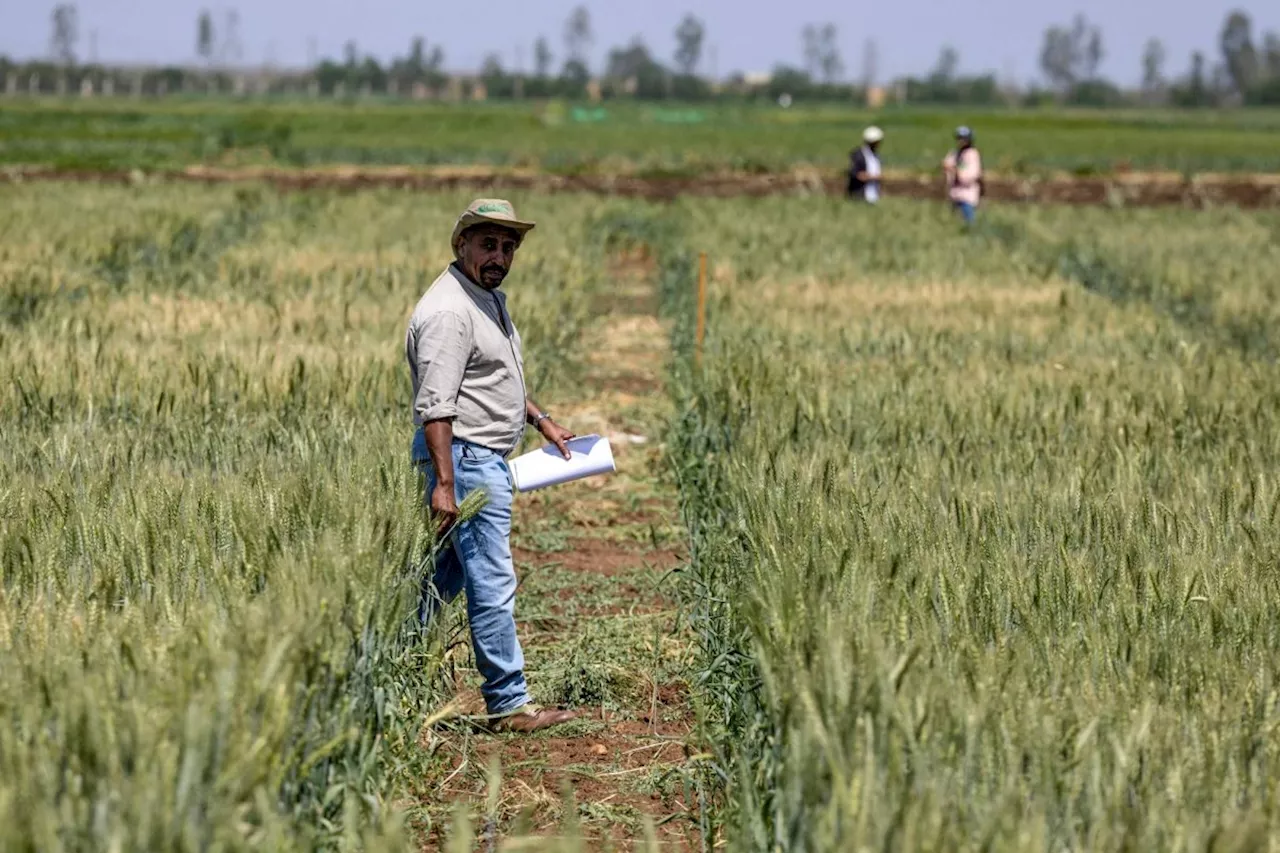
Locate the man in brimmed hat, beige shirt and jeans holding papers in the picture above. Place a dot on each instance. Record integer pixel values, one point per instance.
(470, 410)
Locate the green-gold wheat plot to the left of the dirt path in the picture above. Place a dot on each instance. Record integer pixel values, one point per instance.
(212, 537)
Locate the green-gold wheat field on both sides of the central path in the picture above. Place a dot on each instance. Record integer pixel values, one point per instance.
(982, 526)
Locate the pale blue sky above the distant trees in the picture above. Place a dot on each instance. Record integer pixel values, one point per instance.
(1002, 37)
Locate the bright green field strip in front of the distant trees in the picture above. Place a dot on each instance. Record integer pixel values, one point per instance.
(130, 134)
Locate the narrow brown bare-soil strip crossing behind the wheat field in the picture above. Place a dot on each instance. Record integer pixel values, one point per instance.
(1136, 189)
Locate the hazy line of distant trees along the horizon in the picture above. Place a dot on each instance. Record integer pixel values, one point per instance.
(1071, 58)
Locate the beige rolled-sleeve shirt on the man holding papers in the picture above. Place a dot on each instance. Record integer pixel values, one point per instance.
(465, 361)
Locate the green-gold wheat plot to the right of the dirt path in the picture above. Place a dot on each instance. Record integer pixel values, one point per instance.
(985, 526)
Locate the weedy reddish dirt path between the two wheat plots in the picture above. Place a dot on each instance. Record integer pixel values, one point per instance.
(600, 627)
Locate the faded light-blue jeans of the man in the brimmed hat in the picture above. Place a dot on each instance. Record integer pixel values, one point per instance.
(478, 560)
